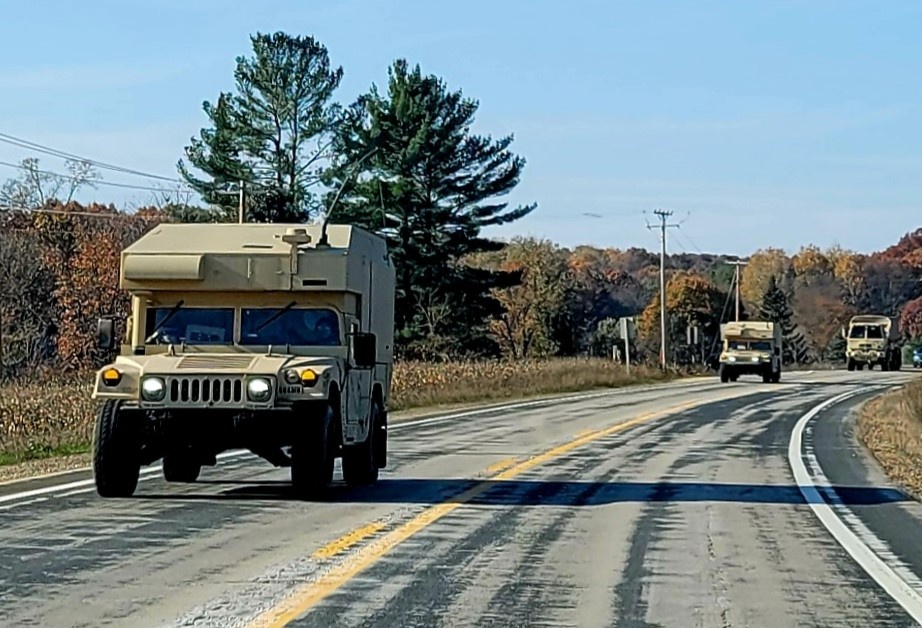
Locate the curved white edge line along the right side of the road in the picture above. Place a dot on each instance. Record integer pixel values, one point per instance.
(873, 565)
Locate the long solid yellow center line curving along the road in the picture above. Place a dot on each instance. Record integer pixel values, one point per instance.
(308, 596)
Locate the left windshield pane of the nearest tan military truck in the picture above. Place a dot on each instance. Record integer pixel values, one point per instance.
(191, 325)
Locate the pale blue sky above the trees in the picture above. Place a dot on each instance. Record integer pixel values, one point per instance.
(772, 123)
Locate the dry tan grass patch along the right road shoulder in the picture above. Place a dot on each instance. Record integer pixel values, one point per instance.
(891, 427)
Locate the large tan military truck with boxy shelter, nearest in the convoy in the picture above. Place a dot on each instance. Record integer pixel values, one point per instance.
(276, 338)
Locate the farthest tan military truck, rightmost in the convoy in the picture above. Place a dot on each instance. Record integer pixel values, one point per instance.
(873, 339)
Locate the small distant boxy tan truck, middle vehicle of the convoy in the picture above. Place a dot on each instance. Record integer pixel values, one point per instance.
(750, 348)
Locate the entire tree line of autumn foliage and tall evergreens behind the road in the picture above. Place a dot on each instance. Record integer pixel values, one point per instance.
(403, 161)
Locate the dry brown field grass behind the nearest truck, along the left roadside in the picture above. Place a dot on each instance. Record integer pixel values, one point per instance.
(56, 417)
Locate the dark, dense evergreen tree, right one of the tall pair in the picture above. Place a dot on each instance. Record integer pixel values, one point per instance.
(429, 185)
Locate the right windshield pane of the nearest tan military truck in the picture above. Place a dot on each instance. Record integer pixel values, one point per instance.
(317, 327)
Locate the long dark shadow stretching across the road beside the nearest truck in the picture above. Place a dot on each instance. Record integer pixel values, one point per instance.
(549, 493)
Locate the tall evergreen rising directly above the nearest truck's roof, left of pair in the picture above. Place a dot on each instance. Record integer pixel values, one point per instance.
(272, 134)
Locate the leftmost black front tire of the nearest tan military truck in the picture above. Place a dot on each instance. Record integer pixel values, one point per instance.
(116, 466)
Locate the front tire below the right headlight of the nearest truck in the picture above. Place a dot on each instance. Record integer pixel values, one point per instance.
(313, 454)
